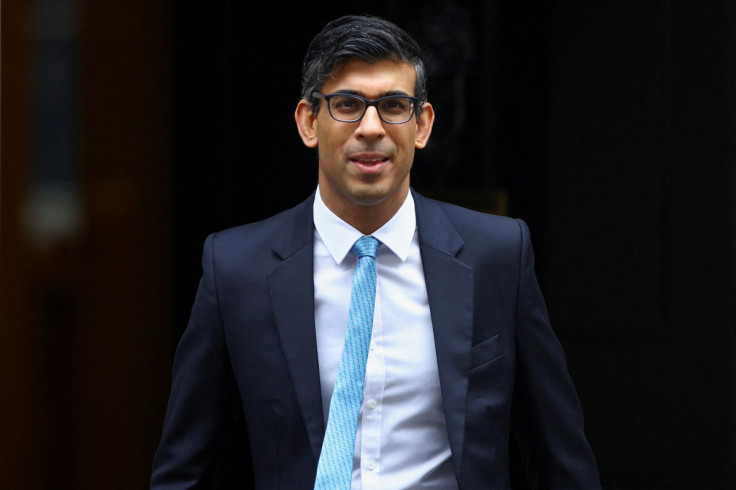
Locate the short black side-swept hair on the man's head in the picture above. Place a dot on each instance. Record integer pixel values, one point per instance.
(367, 38)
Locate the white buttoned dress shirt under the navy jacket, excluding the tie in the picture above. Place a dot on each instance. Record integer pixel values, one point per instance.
(402, 438)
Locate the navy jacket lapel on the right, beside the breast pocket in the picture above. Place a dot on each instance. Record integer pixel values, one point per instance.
(450, 291)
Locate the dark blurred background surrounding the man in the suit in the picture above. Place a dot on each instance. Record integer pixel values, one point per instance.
(132, 129)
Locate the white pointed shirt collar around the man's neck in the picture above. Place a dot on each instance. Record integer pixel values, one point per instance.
(339, 237)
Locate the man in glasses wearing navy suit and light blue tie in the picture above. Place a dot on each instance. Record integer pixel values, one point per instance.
(444, 337)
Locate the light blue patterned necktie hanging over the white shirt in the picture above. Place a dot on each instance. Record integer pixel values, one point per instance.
(335, 467)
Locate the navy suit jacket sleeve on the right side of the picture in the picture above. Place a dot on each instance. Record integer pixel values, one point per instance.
(546, 415)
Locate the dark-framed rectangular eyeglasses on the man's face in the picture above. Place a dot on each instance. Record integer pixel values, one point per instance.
(392, 109)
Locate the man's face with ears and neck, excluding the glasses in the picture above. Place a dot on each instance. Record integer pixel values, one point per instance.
(365, 163)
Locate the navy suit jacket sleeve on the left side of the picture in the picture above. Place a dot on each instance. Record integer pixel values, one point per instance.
(202, 411)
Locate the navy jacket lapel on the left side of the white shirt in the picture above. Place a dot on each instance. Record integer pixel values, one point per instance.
(291, 286)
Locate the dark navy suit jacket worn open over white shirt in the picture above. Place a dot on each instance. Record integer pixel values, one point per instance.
(249, 357)
